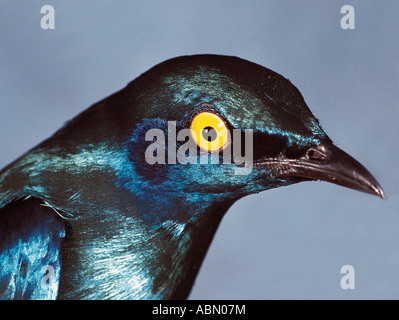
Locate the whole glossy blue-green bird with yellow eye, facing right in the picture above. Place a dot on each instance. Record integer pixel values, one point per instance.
(114, 206)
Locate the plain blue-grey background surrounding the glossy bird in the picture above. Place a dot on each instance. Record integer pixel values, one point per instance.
(284, 243)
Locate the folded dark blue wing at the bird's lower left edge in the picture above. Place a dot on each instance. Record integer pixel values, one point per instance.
(31, 239)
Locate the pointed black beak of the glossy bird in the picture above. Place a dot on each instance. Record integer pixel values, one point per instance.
(326, 162)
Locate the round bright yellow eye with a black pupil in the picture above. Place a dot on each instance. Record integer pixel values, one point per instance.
(209, 131)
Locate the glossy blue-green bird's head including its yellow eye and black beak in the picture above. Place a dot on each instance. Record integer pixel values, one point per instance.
(255, 128)
